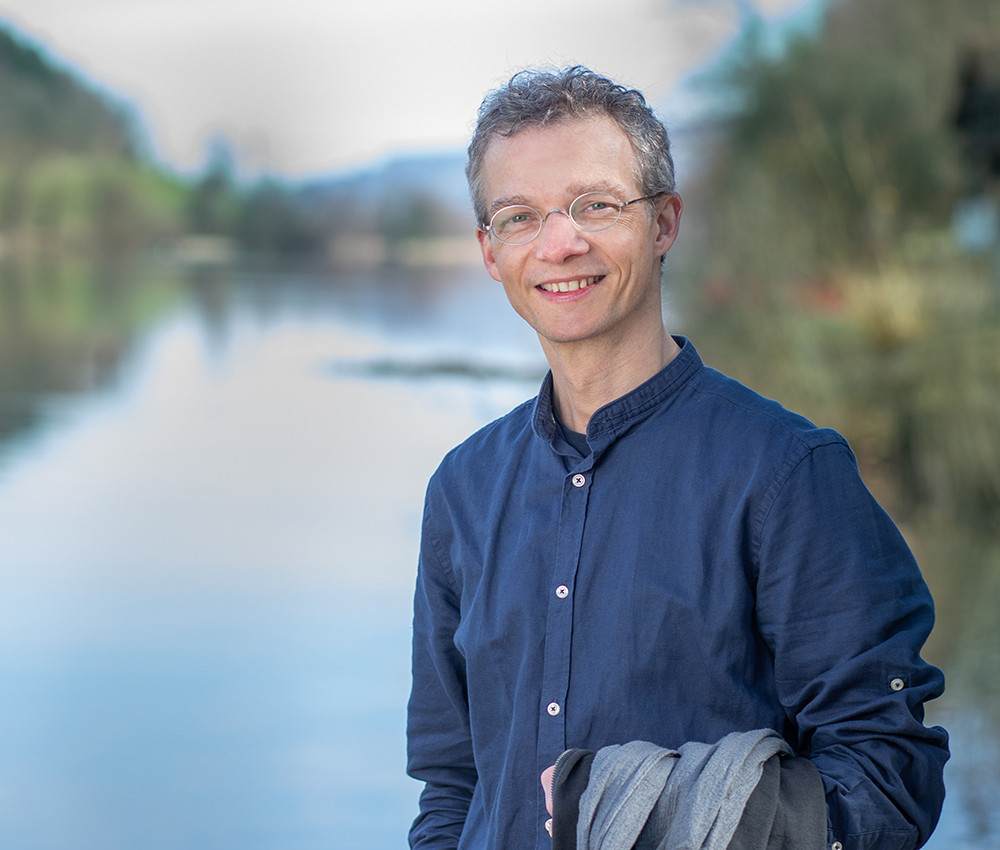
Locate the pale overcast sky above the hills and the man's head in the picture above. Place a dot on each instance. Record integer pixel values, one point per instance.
(305, 87)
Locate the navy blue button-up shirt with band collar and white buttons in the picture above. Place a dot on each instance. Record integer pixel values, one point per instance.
(713, 564)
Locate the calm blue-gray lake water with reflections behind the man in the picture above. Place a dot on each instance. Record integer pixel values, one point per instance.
(210, 492)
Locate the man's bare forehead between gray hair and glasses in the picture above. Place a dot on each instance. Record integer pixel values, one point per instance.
(547, 163)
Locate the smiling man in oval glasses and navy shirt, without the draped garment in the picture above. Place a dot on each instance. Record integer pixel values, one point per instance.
(647, 551)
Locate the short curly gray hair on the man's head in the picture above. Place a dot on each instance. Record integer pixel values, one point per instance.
(535, 98)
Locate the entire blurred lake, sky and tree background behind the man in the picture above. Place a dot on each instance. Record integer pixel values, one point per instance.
(242, 317)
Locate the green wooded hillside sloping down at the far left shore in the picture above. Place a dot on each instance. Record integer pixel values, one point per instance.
(71, 181)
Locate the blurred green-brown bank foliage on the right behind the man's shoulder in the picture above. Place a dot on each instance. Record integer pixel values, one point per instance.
(832, 280)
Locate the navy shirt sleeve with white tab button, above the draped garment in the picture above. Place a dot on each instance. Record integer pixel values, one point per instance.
(844, 609)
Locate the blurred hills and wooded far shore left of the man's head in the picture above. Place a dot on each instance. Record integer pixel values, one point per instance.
(73, 177)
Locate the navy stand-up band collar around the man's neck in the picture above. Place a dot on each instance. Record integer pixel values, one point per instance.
(616, 417)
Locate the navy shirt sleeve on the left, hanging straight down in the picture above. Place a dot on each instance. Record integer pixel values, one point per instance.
(438, 738)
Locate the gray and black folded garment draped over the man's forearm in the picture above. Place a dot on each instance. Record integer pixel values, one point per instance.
(732, 794)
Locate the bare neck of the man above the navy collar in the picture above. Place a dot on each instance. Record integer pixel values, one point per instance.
(585, 377)
